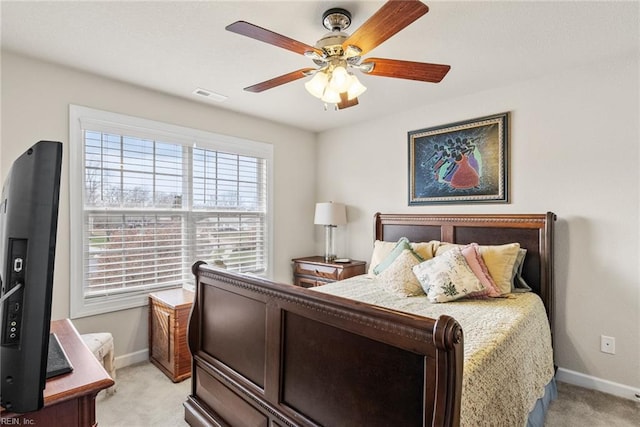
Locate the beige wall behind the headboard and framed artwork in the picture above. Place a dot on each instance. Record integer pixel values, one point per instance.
(574, 151)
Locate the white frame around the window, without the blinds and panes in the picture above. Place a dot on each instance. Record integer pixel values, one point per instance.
(81, 118)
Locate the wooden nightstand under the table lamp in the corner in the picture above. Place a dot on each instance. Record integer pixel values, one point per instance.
(314, 271)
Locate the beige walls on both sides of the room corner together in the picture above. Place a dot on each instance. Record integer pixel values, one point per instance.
(573, 150)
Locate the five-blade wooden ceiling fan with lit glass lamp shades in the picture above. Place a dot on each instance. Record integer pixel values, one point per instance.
(337, 53)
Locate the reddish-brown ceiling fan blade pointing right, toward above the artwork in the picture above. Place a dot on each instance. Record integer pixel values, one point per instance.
(420, 71)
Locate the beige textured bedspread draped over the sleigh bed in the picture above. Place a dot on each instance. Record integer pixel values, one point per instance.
(508, 358)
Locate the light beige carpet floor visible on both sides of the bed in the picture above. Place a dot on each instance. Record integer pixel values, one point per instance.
(146, 397)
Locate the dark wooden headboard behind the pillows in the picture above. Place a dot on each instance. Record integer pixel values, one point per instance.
(534, 233)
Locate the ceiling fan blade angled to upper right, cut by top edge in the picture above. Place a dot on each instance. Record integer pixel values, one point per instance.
(387, 21)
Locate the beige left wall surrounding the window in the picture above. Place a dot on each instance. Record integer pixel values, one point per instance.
(35, 106)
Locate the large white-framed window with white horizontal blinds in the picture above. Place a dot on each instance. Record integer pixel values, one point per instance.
(153, 198)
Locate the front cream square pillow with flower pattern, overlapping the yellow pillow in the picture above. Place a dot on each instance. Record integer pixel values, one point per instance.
(448, 277)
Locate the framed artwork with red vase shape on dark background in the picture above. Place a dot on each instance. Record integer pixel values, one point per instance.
(464, 162)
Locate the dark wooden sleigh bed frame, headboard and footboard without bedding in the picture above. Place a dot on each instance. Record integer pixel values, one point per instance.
(269, 354)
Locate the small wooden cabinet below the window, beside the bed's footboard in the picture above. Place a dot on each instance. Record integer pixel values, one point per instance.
(168, 320)
